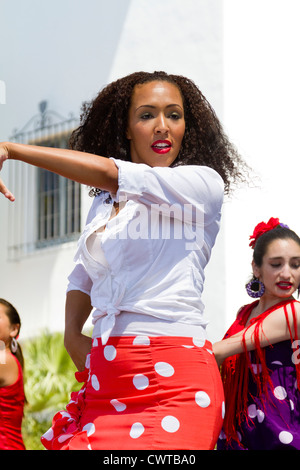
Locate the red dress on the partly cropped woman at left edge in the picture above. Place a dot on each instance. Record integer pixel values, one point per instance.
(12, 399)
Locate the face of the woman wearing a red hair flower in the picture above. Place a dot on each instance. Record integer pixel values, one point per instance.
(280, 269)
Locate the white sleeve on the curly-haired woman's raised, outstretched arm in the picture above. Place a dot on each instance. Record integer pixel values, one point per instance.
(189, 186)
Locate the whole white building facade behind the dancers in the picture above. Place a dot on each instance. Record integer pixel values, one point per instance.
(241, 54)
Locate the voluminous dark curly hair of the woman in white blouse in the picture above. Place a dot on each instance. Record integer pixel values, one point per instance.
(104, 122)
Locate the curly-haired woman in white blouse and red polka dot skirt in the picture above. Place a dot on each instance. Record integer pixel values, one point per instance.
(155, 154)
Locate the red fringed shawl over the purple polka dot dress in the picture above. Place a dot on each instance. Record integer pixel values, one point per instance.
(235, 369)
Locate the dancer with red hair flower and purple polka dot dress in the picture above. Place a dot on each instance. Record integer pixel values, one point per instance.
(260, 352)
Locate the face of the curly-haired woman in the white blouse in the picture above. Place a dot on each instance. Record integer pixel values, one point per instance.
(156, 123)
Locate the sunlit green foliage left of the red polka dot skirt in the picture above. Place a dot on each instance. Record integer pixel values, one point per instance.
(49, 380)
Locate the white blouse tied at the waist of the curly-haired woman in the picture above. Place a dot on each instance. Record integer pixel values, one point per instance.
(152, 254)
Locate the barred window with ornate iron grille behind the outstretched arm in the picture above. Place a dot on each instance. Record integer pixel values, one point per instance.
(47, 210)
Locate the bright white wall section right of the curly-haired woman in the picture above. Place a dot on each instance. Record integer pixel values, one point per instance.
(261, 113)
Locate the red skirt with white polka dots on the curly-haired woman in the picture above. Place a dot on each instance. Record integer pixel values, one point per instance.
(143, 392)
